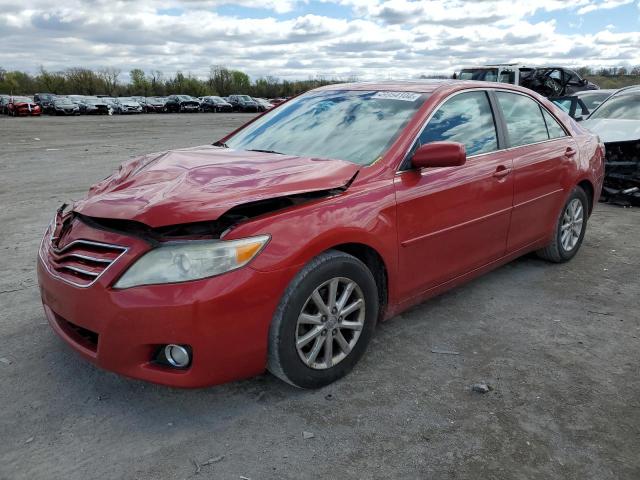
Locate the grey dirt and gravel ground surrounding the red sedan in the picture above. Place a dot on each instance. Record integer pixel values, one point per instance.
(559, 343)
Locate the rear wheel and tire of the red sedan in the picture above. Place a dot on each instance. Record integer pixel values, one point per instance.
(560, 249)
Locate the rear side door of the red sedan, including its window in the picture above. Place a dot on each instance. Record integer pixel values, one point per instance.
(542, 154)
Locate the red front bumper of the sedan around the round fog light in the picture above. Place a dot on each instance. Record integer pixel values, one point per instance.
(224, 319)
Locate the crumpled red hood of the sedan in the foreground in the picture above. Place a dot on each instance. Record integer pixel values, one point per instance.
(202, 183)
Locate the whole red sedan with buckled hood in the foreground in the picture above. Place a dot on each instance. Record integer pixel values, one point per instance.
(281, 246)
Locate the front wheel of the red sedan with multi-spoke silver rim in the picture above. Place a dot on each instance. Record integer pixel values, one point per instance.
(354, 331)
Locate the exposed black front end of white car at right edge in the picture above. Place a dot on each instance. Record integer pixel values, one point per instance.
(622, 173)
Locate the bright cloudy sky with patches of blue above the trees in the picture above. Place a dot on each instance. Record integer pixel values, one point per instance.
(302, 38)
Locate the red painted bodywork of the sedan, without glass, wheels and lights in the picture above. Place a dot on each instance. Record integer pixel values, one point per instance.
(433, 228)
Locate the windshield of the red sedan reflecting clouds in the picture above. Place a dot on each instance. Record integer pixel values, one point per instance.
(356, 126)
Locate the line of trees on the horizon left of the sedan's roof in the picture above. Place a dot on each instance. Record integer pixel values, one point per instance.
(108, 81)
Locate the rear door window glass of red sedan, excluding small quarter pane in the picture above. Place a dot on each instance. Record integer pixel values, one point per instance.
(523, 116)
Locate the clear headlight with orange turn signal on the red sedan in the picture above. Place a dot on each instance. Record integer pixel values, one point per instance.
(191, 260)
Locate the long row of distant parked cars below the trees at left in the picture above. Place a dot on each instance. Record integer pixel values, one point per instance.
(48, 103)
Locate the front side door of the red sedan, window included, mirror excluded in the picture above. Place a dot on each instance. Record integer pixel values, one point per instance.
(452, 220)
